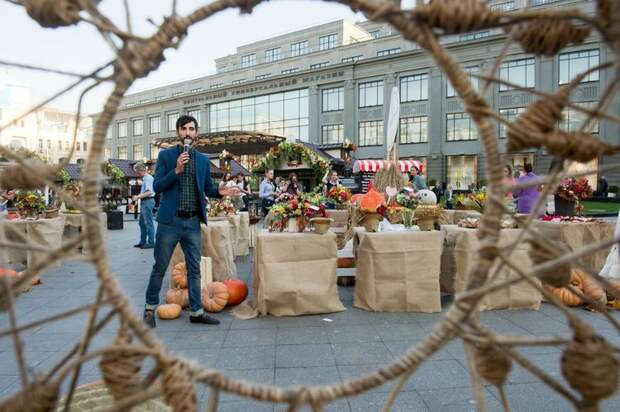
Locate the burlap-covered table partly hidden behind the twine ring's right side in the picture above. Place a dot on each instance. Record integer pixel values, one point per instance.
(460, 254)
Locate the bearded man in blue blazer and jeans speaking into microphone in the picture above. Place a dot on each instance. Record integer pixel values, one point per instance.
(183, 177)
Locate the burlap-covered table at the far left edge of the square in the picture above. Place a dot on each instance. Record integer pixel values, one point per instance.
(45, 233)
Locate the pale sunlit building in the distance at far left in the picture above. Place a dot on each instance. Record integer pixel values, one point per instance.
(48, 132)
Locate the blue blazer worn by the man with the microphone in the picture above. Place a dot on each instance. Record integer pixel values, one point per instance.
(168, 183)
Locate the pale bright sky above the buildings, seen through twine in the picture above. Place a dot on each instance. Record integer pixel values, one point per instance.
(81, 49)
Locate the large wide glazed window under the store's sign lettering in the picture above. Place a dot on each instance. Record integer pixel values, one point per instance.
(283, 114)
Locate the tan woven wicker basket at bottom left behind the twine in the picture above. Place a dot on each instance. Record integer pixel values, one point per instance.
(94, 396)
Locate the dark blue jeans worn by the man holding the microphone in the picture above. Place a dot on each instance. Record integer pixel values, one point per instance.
(187, 233)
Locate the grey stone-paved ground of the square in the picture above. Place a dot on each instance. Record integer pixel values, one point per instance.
(290, 350)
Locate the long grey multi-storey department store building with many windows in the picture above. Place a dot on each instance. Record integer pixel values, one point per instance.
(333, 82)
